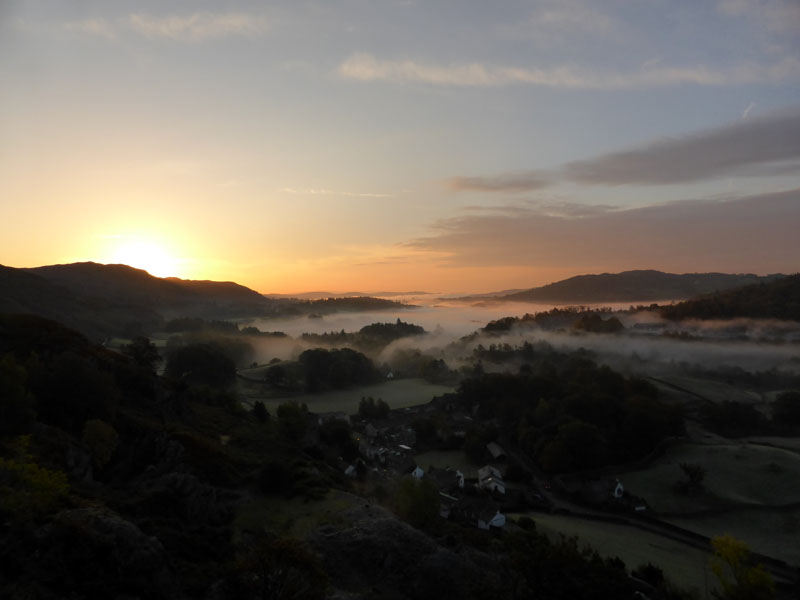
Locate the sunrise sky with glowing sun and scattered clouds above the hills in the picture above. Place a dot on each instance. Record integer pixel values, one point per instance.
(361, 145)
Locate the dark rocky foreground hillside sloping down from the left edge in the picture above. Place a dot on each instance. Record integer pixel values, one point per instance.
(116, 483)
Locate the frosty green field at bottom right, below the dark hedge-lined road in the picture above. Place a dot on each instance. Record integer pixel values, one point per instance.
(685, 566)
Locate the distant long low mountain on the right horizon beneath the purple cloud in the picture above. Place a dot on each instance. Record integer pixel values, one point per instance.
(633, 286)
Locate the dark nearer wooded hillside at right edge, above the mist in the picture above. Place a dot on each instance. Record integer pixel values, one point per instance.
(778, 299)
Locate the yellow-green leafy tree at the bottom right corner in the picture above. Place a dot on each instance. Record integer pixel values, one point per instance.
(739, 578)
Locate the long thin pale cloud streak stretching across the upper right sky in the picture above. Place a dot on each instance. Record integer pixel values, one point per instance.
(365, 67)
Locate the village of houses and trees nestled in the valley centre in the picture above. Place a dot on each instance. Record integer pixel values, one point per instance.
(502, 483)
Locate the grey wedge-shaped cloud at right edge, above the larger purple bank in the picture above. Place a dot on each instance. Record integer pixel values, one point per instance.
(749, 146)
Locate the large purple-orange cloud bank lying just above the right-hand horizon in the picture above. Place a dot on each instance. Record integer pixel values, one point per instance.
(754, 233)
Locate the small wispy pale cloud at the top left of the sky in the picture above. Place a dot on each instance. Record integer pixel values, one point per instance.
(198, 26)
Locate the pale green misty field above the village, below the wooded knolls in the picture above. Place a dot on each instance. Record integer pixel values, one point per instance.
(398, 393)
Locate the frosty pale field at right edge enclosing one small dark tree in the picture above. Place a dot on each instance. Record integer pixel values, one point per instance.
(736, 473)
